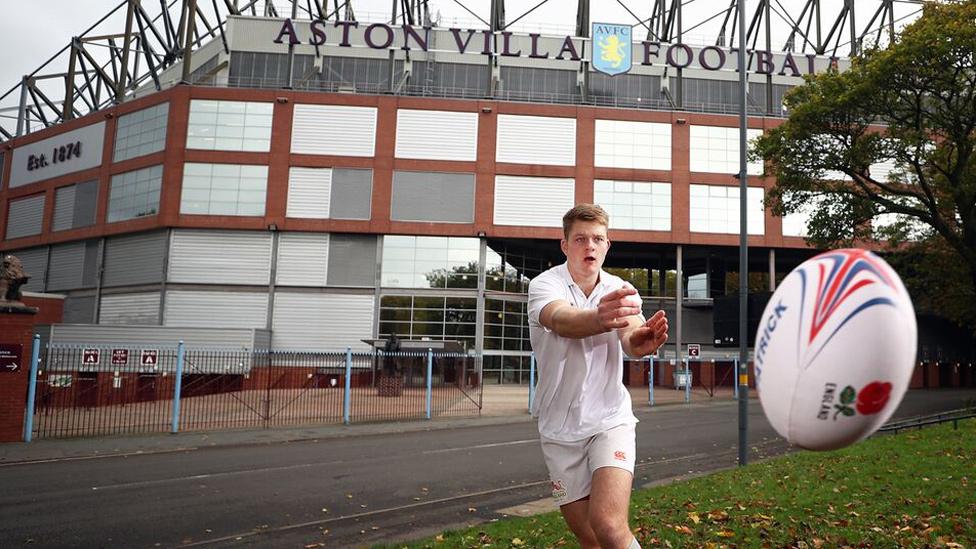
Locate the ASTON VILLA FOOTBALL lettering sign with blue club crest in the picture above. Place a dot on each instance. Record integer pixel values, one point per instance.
(609, 44)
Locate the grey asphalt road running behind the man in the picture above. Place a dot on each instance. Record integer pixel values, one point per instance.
(351, 491)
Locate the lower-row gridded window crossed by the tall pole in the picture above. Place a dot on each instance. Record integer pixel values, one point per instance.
(715, 209)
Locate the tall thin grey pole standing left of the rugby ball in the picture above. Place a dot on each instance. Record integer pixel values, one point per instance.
(742, 377)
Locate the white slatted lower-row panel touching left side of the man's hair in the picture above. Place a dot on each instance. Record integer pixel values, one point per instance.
(536, 201)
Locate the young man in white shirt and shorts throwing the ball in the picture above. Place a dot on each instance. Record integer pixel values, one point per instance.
(581, 320)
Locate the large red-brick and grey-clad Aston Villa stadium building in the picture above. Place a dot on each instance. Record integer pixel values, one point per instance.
(332, 179)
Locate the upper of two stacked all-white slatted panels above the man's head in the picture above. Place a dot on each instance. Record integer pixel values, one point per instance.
(536, 140)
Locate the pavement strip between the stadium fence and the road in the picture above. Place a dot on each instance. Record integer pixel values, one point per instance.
(501, 404)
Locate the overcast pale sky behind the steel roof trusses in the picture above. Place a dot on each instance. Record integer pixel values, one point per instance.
(31, 31)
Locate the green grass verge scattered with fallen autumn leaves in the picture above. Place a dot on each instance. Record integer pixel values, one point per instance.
(915, 489)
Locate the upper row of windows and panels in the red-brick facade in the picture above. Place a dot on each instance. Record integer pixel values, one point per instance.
(424, 135)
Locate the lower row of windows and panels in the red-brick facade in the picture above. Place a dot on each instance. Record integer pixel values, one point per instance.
(346, 193)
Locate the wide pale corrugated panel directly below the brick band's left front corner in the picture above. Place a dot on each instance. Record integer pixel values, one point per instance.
(220, 257)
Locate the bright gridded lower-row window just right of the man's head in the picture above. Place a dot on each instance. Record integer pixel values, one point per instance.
(635, 204)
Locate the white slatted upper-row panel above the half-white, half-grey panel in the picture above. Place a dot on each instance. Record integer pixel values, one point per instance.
(334, 130)
